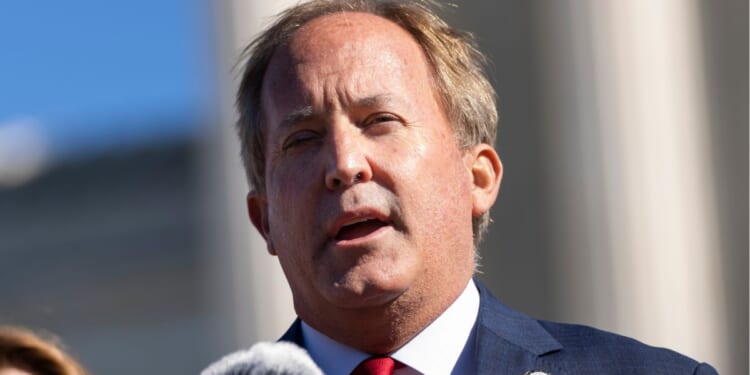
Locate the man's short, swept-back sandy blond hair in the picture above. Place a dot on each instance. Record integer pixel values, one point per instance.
(457, 65)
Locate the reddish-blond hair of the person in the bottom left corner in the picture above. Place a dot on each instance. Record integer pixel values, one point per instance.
(23, 350)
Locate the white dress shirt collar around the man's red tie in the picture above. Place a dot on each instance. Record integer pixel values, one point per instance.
(446, 346)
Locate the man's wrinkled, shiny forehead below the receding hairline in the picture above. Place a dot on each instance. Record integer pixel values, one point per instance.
(361, 44)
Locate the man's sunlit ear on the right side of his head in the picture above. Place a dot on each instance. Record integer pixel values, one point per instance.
(487, 172)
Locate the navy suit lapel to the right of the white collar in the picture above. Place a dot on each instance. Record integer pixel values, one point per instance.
(509, 342)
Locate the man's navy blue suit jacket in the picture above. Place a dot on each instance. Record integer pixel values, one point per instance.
(509, 342)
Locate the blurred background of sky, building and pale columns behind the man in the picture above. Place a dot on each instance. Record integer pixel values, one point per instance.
(623, 130)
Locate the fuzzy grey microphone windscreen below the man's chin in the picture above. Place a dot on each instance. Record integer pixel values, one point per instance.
(266, 358)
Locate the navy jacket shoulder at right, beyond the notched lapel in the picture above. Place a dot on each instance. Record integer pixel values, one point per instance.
(594, 350)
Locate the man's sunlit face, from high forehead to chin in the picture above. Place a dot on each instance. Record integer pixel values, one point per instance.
(368, 199)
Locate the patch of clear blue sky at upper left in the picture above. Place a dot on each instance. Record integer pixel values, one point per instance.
(94, 74)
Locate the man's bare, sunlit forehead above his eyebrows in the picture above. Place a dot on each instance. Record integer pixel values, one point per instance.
(349, 52)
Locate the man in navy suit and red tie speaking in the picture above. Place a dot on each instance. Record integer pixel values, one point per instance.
(367, 131)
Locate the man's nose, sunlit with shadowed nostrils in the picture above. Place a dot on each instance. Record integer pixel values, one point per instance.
(348, 163)
